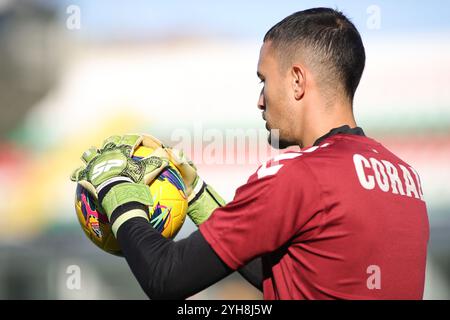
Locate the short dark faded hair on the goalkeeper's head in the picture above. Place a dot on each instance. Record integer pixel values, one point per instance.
(333, 42)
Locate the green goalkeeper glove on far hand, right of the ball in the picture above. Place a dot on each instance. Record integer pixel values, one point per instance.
(202, 198)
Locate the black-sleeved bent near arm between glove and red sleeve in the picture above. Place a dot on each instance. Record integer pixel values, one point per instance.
(167, 269)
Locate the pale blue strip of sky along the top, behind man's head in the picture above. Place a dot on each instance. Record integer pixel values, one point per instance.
(244, 19)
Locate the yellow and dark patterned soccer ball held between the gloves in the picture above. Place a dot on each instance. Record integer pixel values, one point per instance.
(167, 214)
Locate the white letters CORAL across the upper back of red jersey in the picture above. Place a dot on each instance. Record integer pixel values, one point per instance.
(386, 176)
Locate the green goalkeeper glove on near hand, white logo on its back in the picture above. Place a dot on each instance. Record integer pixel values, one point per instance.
(113, 177)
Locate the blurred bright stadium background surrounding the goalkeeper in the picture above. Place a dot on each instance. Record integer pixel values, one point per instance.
(159, 67)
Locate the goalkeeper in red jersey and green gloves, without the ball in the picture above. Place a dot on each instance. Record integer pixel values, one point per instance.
(344, 218)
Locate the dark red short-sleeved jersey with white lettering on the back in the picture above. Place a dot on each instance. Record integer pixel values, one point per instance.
(345, 219)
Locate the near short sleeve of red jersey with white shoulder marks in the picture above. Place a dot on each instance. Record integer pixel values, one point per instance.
(265, 213)
